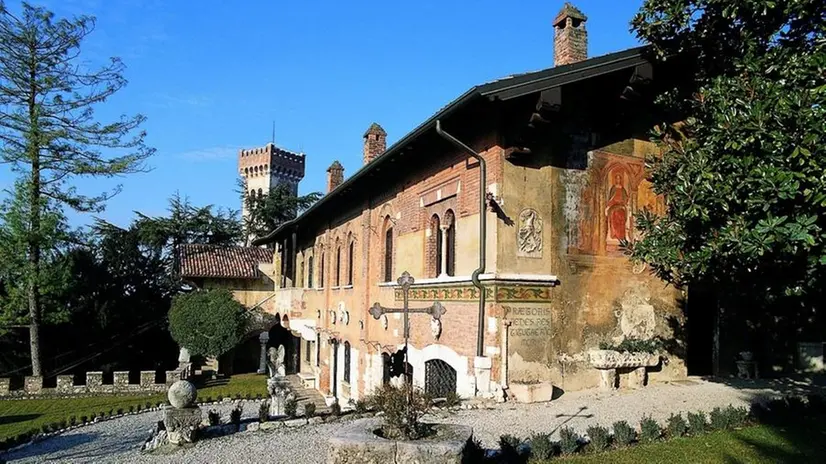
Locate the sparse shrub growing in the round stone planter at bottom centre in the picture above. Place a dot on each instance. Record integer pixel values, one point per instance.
(400, 418)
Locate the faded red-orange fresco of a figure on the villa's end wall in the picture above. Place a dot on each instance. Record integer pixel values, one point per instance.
(615, 191)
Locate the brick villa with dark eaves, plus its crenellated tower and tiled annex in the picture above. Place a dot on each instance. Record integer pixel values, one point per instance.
(557, 179)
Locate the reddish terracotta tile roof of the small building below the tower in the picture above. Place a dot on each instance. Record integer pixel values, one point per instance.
(223, 262)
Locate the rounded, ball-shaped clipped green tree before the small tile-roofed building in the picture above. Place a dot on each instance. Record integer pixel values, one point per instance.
(208, 323)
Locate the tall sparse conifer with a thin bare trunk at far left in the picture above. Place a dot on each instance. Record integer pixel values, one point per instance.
(48, 130)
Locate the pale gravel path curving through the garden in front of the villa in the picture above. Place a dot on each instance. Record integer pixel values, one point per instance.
(119, 440)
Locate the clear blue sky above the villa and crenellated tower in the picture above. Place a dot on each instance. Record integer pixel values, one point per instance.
(212, 76)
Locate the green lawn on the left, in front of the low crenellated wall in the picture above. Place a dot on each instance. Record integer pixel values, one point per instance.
(19, 416)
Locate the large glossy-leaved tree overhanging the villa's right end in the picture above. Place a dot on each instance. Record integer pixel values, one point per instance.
(743, 174)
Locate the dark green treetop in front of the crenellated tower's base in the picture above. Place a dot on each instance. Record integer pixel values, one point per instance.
(268, 210)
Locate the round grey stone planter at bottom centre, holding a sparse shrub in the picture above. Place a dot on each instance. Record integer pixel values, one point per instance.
(357, 443)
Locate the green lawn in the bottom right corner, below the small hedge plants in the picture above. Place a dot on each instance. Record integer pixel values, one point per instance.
(803, 443)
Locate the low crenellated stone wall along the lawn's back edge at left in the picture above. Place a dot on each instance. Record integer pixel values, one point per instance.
(33, 385)
